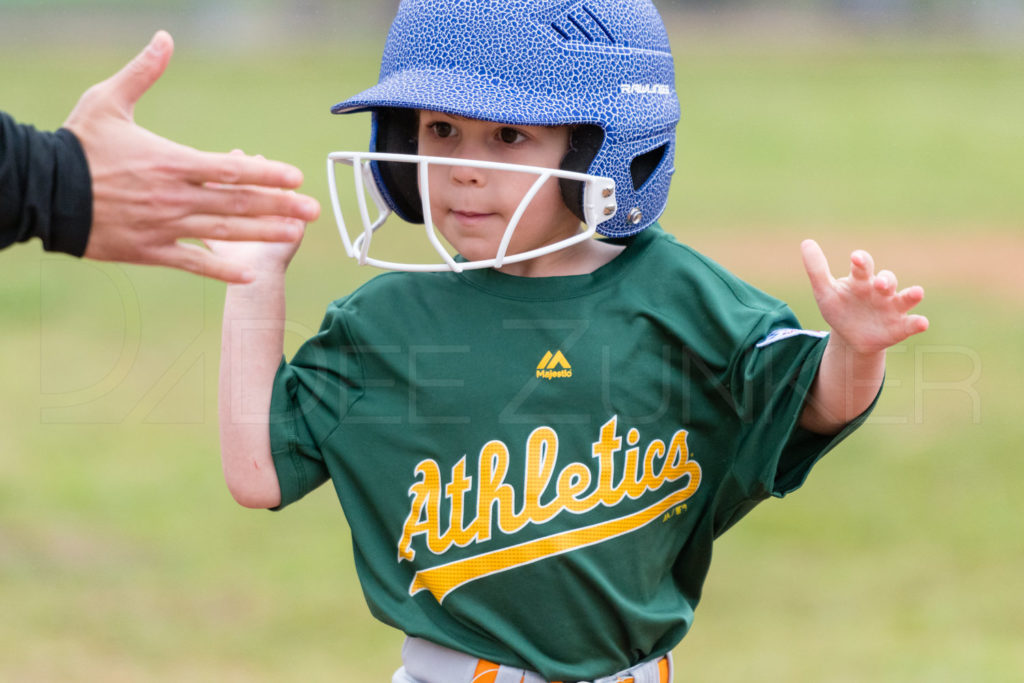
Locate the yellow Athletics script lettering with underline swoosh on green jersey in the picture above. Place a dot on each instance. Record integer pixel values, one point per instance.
(575, 490)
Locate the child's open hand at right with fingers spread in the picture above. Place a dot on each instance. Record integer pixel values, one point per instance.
(865, 309)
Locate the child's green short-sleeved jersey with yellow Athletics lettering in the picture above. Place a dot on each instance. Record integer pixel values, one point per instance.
(534, 469)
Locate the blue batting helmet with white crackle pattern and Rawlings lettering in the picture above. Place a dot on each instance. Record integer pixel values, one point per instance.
(606, 63)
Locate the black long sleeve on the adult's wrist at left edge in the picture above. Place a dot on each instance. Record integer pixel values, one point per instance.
(46, 189)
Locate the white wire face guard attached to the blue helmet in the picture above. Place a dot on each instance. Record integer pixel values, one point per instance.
(599, 204)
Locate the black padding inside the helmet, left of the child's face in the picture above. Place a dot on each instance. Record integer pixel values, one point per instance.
(397, 134)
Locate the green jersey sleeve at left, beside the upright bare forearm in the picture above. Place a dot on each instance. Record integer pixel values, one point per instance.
(312, 395)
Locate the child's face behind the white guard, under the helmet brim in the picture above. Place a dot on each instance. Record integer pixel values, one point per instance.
(473, 207)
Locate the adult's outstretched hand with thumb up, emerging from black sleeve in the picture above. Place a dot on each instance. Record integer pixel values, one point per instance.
(149, 192)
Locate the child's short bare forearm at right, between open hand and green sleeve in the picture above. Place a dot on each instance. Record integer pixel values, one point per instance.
(846, 386)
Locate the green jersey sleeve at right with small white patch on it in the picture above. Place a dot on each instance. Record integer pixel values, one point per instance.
(773, 376)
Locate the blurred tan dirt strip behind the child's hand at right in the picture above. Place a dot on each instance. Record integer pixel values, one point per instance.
(979, 262)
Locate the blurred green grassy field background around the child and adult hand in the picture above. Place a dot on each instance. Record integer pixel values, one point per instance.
(892, 126)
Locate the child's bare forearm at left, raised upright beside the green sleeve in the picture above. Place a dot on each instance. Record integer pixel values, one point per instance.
(251, 350)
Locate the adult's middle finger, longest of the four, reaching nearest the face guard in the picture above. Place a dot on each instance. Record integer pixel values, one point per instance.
(250, 201)
